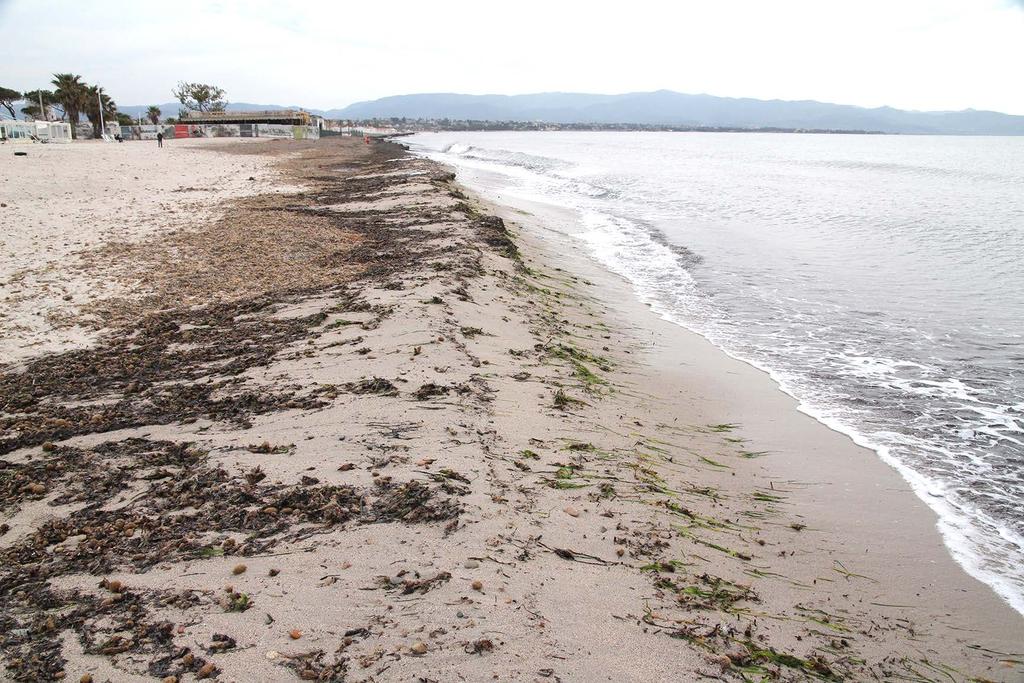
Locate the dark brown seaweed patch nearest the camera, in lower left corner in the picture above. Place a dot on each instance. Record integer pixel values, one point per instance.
(172, 519)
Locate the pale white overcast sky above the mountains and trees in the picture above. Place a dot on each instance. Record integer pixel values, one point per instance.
(924, 55)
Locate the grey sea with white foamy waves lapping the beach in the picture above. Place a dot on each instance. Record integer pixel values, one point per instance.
(879, 279)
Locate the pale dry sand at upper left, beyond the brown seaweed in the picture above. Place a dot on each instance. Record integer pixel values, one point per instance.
(63, 200)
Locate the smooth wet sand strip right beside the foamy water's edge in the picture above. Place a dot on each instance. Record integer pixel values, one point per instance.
(672, 350)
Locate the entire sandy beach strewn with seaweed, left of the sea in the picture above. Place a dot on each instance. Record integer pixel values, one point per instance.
(275, 411)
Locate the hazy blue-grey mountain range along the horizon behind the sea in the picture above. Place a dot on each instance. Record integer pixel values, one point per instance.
(660, 108)
